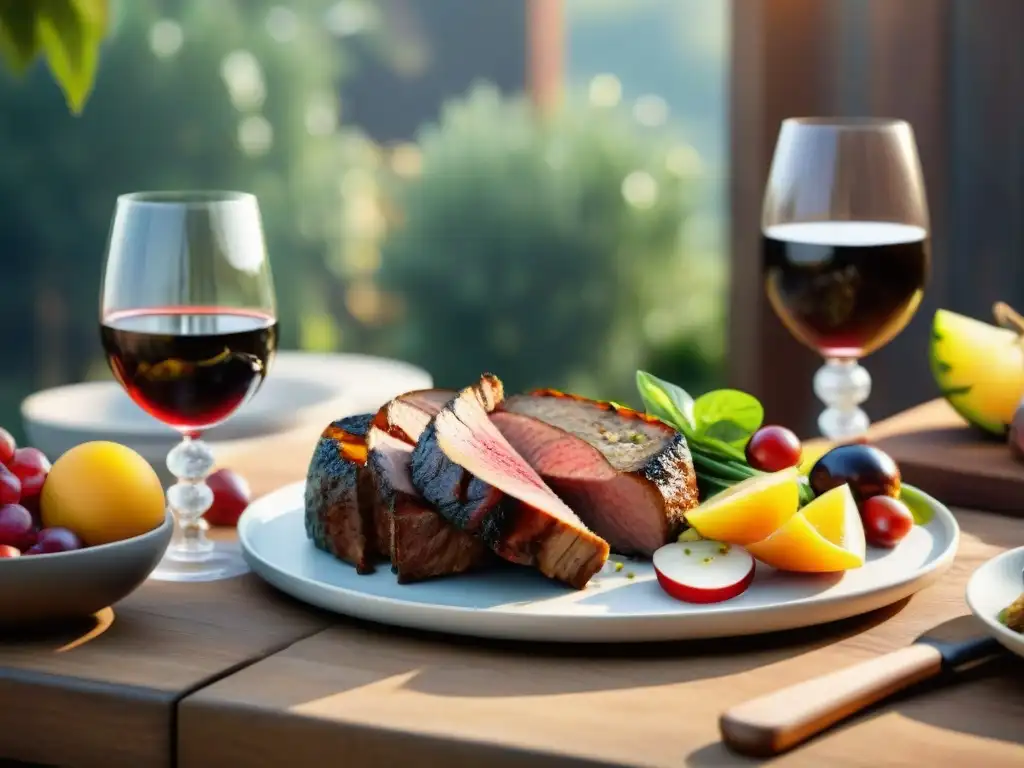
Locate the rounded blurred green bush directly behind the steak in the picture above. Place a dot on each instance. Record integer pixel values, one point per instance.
(547, 250)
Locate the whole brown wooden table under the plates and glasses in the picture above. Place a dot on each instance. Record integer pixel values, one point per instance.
(257, 680)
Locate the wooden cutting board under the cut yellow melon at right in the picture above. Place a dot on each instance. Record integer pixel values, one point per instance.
(941, 454)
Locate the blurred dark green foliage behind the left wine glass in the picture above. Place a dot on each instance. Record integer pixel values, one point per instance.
(192, 95)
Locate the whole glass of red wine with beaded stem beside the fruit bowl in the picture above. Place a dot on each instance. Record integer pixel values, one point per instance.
(189, 325)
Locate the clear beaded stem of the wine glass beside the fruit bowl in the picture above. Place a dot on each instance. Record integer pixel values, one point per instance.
(191, 462)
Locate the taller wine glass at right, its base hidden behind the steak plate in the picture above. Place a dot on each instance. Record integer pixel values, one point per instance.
(846, 248)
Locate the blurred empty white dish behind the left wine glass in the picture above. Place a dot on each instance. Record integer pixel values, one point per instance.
(300, 387)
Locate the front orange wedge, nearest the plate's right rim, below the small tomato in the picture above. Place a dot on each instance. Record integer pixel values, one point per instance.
(825, 537)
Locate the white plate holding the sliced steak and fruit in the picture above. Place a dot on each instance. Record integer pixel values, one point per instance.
(519, 604)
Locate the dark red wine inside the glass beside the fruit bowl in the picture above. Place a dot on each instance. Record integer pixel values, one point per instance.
(190, 368)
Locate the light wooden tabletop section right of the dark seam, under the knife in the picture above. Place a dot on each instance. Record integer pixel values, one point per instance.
(383, 697)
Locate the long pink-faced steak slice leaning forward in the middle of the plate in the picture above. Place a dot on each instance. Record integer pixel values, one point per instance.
(471, 474)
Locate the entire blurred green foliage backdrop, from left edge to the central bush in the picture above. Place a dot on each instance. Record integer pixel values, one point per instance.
(549, 249)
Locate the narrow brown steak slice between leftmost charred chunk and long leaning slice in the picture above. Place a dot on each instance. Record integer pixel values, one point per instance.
(420, 542)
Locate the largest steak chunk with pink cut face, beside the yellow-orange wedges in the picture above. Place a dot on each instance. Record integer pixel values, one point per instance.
(628, 477)
